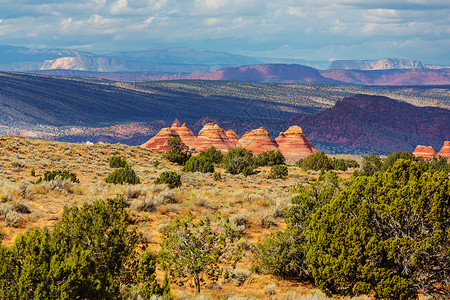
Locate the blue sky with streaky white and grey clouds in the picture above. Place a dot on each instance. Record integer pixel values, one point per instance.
(322, 30)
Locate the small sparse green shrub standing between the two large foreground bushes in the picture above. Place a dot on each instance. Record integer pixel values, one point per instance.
(194, 250)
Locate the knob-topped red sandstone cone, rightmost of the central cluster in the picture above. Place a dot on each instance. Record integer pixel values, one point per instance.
(293, 142)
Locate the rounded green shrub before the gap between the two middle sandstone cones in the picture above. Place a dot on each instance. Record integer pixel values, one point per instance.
(238, 159)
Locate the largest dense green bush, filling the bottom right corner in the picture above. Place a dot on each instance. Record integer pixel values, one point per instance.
(388, 234)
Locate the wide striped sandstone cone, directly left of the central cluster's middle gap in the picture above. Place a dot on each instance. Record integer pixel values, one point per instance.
(212, 135)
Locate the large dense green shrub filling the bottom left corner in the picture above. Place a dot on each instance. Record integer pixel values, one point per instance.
(89, 254)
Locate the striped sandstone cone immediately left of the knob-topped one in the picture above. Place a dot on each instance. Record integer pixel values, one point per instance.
(258, 141)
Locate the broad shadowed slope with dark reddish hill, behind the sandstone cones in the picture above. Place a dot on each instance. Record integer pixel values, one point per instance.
(80, 110)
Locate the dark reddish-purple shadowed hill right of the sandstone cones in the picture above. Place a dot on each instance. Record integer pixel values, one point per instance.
(377, 124)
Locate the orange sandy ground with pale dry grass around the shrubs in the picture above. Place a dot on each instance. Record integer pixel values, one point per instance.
(254, 204)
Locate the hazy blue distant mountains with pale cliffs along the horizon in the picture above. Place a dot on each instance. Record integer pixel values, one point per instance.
(182, 63)
